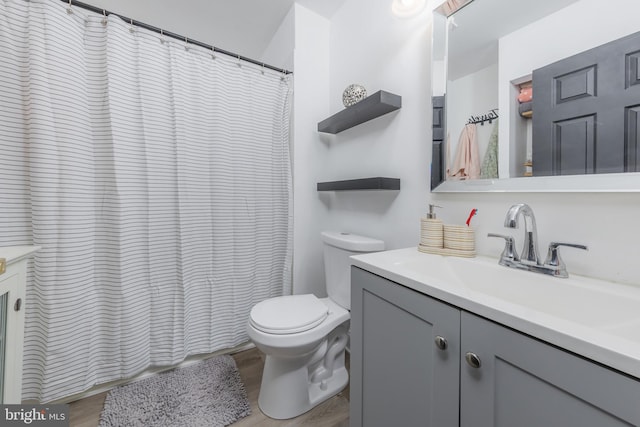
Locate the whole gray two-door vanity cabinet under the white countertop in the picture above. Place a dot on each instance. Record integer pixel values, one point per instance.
(486, 375)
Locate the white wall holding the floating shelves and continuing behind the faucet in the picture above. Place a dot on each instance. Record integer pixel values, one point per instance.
(370, 46)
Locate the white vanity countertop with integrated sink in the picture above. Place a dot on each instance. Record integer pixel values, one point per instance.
(597, 319)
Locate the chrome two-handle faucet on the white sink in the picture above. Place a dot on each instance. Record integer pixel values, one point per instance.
(529, 259)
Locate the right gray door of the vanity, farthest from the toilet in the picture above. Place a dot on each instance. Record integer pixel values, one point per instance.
(527, 383)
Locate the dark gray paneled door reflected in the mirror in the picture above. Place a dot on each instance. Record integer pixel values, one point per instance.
(585, 111)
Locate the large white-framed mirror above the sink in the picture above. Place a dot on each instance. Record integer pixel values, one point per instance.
(487, 57)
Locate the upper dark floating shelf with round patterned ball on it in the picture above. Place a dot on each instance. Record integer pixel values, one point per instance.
(376, 105)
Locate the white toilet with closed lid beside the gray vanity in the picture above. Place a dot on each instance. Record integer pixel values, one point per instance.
(304, 337)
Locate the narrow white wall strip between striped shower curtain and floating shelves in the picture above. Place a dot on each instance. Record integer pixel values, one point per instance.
(311, 104)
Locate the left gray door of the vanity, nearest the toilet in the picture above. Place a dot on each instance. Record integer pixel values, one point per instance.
(398, 375)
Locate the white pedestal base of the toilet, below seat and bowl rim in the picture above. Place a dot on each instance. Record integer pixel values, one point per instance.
(291, 387)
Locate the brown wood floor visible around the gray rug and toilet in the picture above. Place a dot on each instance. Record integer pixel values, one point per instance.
(332, 413)
